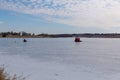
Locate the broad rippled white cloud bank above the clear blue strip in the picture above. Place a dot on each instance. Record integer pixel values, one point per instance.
(83, 13)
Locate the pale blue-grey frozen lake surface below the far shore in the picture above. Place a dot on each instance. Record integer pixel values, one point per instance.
(62, 58)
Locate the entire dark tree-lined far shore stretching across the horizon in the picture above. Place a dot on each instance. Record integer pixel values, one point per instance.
(44, 35)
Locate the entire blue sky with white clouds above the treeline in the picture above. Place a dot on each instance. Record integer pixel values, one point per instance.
(60, 16)
